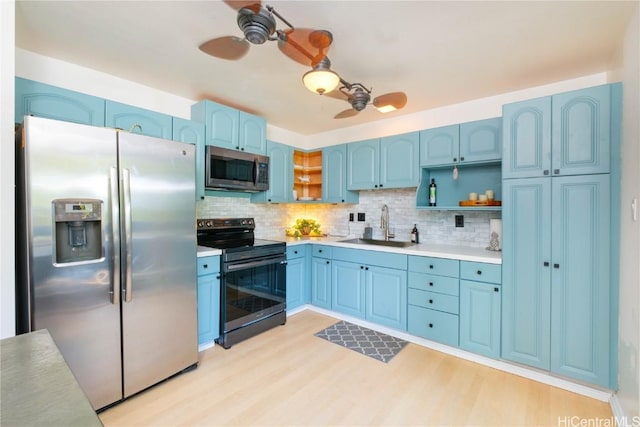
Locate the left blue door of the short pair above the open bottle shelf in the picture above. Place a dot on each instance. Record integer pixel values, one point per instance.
(440, 146)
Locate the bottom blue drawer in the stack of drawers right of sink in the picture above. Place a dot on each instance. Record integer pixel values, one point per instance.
(433, 325)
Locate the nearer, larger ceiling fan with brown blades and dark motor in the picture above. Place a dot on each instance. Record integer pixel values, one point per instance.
(258, 24)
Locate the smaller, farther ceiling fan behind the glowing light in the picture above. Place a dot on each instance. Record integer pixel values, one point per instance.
(359, 97)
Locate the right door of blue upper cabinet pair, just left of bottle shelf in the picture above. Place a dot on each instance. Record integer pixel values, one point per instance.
(399, 157)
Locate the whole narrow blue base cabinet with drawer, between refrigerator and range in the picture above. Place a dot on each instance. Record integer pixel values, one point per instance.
(208, 299)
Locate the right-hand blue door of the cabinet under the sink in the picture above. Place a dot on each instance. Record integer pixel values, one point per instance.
(386, 293)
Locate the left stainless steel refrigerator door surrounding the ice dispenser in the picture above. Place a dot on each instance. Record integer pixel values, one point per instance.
(73, 300)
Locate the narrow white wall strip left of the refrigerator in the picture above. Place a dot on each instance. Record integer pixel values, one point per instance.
(7, 254)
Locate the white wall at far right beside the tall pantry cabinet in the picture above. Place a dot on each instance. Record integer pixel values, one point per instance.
(629, 315)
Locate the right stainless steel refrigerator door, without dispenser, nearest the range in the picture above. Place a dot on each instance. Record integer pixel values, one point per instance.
(159, 311)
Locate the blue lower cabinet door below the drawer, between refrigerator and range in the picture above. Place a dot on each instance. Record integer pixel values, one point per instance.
(208, 308)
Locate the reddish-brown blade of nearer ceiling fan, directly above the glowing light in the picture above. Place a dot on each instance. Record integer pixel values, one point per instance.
(306, 46)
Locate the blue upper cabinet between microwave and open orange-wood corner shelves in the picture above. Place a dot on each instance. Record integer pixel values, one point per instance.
(280, 175)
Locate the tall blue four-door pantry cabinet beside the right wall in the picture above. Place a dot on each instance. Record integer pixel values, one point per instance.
(560, 199)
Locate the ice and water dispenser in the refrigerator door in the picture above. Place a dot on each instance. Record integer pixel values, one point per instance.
(78, 230)
